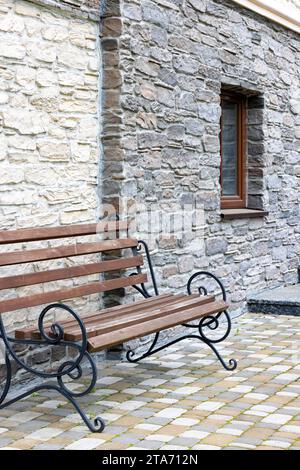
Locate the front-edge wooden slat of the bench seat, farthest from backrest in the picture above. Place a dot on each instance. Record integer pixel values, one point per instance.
(128, 333)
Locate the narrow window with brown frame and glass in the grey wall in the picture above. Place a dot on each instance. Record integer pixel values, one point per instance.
(233, 150)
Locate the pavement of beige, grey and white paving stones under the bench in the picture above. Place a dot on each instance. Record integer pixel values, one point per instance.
(181, 399)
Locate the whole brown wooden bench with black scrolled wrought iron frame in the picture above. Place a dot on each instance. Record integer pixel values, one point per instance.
(117, 263)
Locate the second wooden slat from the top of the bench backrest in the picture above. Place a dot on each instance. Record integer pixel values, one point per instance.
(28, 256)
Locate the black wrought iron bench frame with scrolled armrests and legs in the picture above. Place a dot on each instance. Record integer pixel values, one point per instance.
(74, 368)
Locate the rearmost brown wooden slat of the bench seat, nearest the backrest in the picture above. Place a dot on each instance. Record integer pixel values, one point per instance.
(118, 310)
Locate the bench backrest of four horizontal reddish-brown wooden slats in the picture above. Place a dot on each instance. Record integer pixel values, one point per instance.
(114, 266)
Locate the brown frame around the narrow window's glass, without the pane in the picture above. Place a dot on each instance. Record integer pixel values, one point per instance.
(240, 200)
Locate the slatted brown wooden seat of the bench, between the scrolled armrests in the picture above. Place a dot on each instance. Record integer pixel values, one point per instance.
(125, 322)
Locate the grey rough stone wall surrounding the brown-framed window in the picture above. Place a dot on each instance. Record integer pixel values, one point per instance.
(168, 60)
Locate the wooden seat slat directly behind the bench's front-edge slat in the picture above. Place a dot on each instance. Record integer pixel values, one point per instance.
(101, 327)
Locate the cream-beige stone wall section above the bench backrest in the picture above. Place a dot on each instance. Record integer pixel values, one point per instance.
(49, 154)
